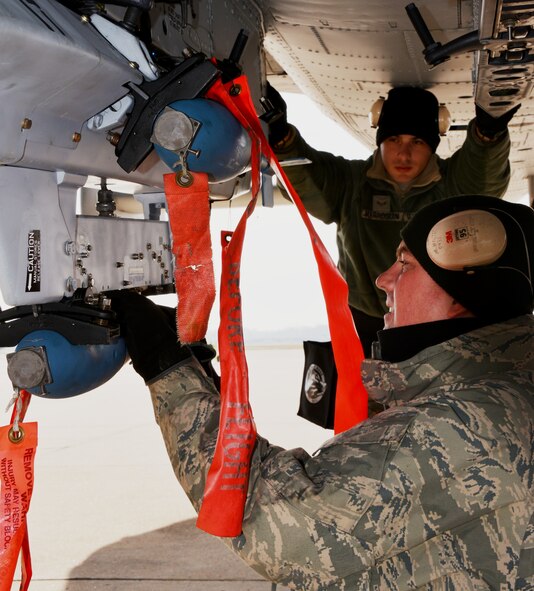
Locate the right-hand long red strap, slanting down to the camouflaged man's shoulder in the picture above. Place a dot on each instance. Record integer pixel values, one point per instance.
(351, 397)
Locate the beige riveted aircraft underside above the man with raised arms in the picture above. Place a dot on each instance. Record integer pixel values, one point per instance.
(345, 54)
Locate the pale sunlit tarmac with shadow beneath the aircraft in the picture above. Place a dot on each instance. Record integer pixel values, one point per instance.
(107, 513)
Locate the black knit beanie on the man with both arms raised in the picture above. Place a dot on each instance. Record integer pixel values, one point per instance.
(412, 111)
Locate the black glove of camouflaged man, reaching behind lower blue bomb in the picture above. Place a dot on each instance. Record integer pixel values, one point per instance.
(150, 333)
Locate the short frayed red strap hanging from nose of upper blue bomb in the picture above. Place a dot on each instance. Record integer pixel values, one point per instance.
(189, 218)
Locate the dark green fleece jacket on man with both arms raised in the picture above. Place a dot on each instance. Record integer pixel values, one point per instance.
(369, 210)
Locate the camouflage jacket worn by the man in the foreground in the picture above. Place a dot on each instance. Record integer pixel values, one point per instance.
(435, 493)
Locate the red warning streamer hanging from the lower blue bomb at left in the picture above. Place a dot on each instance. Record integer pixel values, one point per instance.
(16, 486)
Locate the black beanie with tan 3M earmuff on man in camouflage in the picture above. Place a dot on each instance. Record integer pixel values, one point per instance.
(483, 257)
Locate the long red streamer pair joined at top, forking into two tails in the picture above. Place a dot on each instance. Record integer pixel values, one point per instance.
(224, 498)
